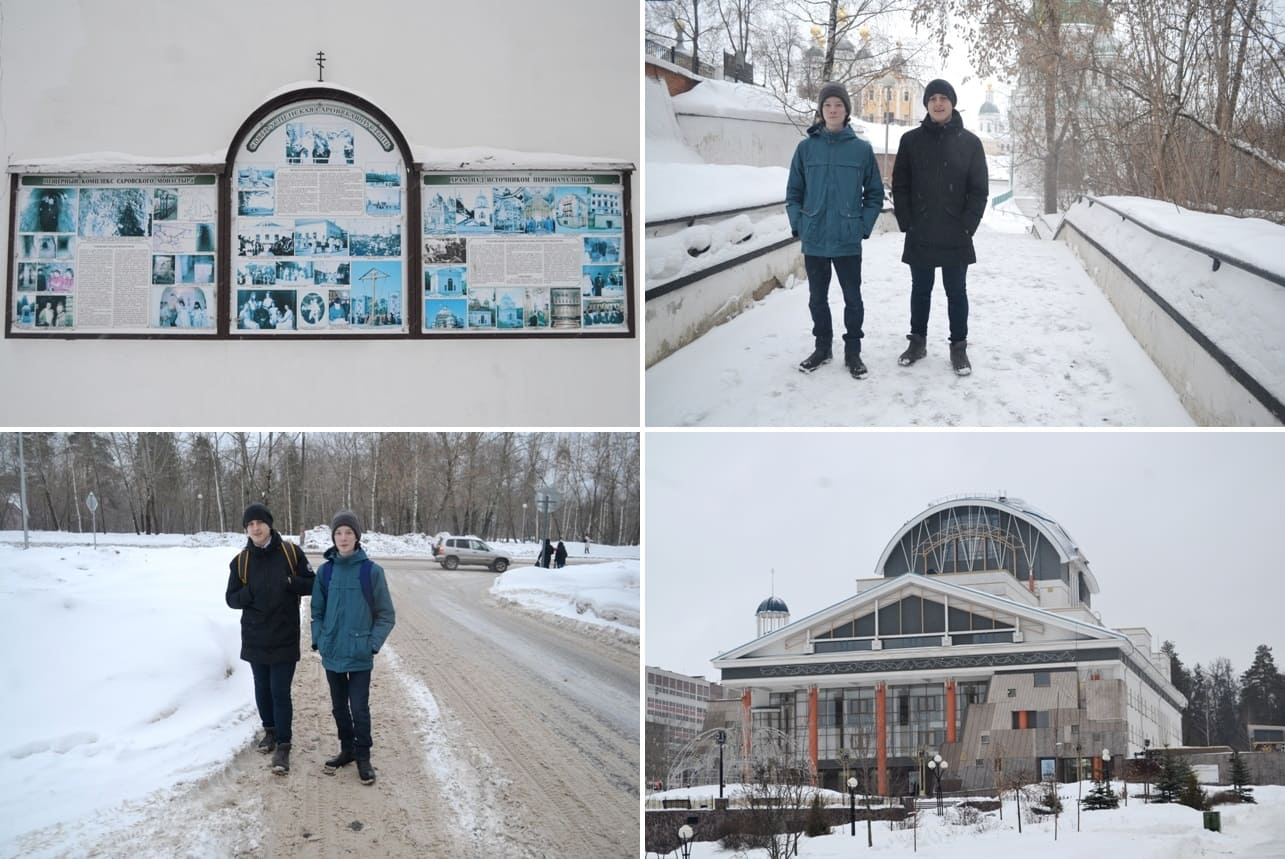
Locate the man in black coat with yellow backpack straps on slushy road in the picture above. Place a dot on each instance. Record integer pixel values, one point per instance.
(265, 582)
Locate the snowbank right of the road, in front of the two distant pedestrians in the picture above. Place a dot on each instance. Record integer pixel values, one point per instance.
(605, 595)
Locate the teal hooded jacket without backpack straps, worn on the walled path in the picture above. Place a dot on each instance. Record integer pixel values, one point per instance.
(835, 192)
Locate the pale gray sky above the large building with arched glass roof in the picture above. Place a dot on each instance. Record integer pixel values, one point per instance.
(1183, 530)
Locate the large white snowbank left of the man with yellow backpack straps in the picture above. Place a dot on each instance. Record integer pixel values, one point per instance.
(123, 677)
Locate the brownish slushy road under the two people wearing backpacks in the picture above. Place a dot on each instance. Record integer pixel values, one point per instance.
(497, 732)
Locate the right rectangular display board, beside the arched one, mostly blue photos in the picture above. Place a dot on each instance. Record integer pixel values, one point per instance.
(524, 254)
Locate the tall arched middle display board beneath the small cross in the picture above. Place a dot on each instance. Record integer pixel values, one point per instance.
(319, 226)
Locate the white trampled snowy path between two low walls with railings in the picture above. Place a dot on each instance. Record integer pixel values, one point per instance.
(1048, 350)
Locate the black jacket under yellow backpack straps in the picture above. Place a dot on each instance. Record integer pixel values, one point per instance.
(269, 600)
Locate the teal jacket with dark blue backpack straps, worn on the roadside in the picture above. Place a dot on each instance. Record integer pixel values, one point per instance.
(348, 631)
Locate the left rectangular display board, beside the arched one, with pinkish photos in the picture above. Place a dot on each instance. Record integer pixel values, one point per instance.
(115, 254)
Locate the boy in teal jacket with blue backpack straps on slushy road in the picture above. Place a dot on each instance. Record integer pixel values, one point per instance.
(353, 615)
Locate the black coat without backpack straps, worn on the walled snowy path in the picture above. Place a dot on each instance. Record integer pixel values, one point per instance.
(940, 186)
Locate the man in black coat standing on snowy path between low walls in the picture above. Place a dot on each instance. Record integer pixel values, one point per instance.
(940, 186)
